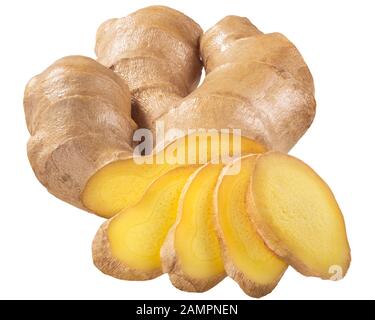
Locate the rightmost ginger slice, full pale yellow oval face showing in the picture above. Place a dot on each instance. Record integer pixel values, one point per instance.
(298, 217)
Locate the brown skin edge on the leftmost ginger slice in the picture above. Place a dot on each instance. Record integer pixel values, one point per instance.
(108, 264)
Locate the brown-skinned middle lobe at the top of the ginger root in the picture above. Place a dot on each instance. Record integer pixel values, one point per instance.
(156, 50)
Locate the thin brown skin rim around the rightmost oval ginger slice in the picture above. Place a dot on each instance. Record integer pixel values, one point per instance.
(280, 249)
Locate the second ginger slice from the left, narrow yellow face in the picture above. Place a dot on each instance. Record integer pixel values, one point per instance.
(191, 252)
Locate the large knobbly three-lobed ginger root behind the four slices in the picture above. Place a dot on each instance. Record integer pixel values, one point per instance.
(81, 144)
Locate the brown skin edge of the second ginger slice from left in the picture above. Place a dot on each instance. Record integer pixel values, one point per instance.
(171, 263)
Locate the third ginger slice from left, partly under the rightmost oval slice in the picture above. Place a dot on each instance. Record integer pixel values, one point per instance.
(246, 258)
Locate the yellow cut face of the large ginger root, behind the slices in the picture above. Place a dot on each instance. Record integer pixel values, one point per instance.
(121, 184)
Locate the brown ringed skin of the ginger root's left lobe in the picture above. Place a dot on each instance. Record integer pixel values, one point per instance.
(78, 115)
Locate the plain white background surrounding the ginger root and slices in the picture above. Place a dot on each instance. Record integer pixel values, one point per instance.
(45, 244)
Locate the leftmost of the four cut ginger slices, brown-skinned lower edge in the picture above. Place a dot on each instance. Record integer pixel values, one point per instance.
(128, 245)
